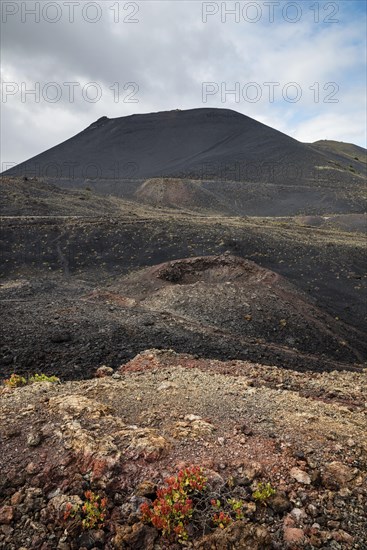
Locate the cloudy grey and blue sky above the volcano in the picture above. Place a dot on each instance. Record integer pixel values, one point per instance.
(296, 66)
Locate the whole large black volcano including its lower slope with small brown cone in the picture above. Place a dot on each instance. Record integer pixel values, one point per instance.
(215, 160)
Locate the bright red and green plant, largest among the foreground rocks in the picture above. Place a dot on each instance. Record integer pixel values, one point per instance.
(173, 507)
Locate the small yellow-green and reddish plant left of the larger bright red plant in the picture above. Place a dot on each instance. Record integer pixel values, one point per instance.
(92, 514)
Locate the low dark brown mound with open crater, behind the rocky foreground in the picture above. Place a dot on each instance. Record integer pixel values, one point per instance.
(218, 306)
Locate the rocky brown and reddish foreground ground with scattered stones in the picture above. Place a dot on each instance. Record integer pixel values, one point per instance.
(78, 459)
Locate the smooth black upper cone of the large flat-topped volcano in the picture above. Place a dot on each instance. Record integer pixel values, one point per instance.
(200, 143)
